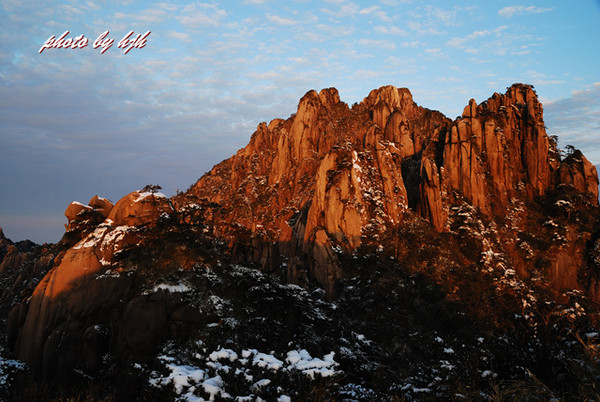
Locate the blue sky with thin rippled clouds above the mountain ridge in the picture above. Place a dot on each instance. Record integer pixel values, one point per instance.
(75, 123)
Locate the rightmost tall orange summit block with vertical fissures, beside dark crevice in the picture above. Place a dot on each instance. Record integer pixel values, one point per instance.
(497, 145)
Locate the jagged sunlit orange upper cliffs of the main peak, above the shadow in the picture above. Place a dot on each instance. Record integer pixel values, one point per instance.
(333, 175)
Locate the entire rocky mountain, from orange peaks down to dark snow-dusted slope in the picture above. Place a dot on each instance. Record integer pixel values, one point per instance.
(433, 257)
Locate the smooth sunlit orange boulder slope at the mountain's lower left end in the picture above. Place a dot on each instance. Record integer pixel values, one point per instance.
(71, 287)
